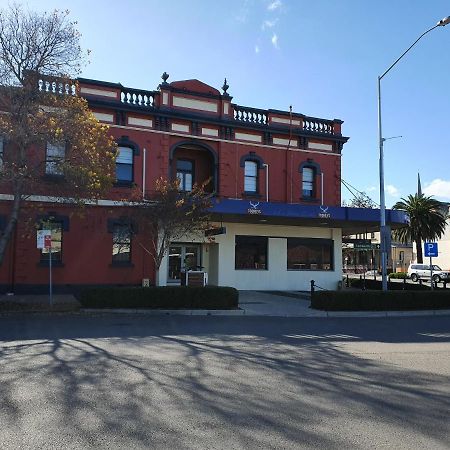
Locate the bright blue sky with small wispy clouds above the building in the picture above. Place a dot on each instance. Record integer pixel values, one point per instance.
(321, 56)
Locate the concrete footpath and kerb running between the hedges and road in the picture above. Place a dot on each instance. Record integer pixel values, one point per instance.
(251, 303)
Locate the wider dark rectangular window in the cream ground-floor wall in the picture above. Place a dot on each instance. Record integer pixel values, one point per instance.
(309, 254)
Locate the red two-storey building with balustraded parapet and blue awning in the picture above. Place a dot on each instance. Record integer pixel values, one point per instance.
(275, 177)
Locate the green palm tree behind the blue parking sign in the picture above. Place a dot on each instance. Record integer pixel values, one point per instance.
(427, 221)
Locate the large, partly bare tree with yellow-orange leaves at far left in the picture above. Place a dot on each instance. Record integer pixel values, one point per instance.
(50, 143)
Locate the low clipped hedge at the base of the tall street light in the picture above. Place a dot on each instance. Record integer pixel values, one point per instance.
(380, 301)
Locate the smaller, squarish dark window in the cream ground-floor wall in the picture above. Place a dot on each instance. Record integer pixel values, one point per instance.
(251, 252)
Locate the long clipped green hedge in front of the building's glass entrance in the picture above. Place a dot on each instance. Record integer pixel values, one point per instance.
(165, 297)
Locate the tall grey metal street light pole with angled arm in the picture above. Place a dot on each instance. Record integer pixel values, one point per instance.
(383, 230)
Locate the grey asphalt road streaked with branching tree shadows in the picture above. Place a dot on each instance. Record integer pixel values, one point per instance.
(108, 381)
